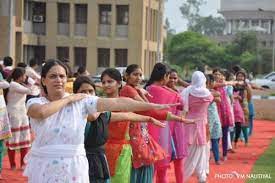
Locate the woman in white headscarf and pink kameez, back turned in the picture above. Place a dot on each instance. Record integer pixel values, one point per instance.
(196, 99)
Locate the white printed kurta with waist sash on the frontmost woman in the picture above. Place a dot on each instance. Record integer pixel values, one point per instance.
(57, 153)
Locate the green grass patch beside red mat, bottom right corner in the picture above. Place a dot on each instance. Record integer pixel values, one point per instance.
(265, 165)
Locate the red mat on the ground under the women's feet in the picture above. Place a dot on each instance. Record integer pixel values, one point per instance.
(239, 163)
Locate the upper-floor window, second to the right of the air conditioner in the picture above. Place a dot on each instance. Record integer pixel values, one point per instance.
(81, 19)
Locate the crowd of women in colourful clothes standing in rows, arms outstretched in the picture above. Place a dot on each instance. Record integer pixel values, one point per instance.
(132, 134)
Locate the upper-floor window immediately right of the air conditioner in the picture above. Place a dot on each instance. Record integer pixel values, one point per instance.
(63, 18)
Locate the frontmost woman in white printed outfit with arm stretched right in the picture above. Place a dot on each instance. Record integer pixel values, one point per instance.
(57, 153)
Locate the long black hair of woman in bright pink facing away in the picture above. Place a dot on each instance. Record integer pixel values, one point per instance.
(158, 73)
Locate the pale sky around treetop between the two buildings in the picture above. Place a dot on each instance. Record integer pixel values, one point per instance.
(175, 18)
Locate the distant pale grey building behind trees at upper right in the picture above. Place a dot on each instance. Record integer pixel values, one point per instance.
(249, 15)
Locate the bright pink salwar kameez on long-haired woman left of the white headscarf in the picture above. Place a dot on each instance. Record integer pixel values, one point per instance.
(172, 133)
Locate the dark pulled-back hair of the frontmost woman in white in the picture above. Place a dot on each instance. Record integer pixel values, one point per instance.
(47, 66)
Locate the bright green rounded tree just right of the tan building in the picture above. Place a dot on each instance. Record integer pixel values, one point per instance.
(193, 50)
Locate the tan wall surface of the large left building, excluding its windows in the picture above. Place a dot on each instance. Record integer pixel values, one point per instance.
(136, 42)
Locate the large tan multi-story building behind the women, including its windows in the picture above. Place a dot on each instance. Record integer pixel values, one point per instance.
(93, 33)
